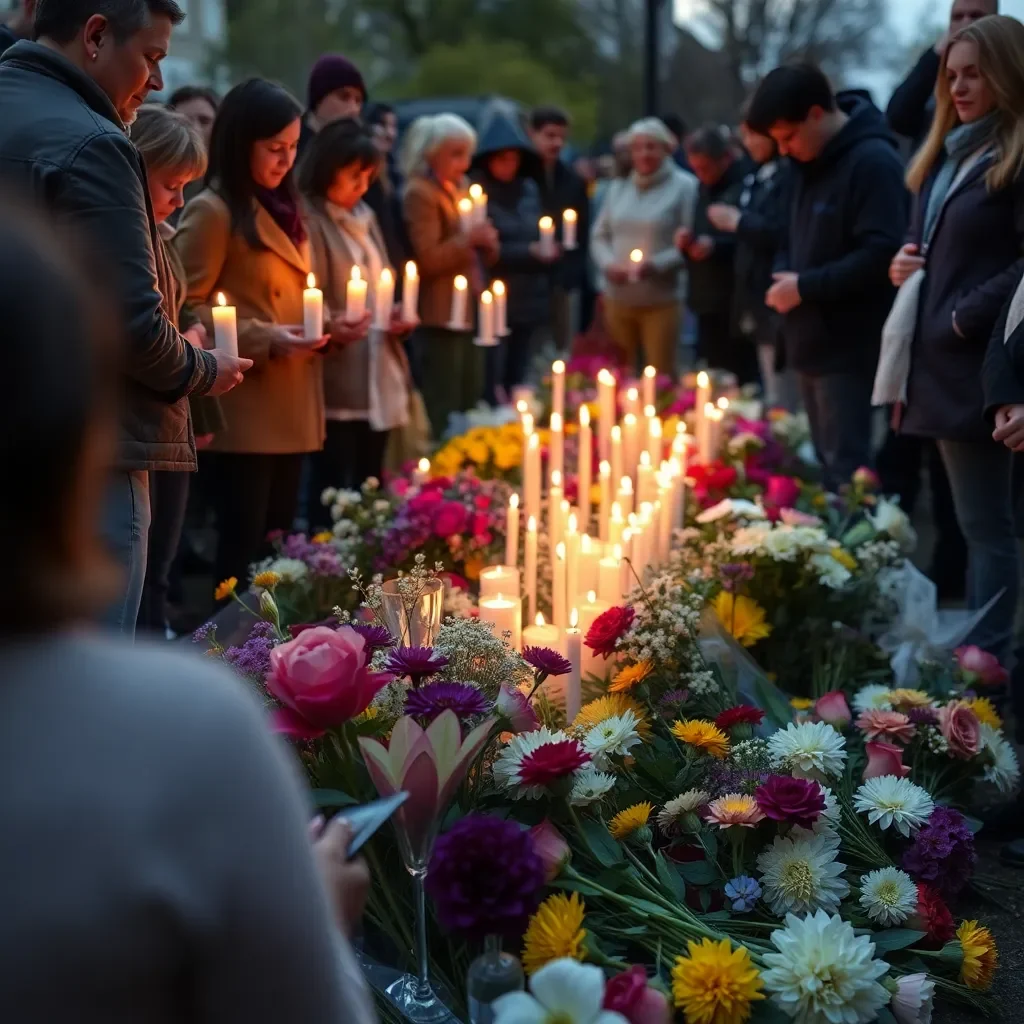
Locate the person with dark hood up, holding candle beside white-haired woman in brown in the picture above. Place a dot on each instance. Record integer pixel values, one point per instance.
(504, 167)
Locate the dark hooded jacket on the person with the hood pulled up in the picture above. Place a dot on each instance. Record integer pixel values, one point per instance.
(515, 209)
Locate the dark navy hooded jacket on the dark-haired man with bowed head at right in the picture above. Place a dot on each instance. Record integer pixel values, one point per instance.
(848, 220)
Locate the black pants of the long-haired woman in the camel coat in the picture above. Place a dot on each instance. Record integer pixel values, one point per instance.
(254, 495)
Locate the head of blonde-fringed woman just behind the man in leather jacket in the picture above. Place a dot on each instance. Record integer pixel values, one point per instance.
(175, 154)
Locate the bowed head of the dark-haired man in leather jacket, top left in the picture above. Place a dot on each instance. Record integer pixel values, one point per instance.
(118, 44)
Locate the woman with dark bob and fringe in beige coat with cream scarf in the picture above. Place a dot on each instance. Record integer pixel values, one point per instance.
(366, 373)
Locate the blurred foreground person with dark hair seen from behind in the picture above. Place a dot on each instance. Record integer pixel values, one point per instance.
(138, 884)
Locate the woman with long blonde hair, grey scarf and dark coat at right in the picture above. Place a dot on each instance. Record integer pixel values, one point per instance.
(967, 236)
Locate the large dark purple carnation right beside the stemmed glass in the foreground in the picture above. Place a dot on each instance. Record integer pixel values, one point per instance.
(486, 878)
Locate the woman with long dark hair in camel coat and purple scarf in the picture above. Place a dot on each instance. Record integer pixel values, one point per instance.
(244, 237)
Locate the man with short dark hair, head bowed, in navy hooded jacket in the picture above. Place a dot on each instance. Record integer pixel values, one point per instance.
(847, 221)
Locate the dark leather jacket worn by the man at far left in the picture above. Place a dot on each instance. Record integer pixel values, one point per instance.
(62, 142)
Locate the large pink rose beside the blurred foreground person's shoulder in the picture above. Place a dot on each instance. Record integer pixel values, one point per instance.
(322, 679)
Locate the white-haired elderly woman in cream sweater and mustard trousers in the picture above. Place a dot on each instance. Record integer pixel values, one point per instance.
(644, 301)
